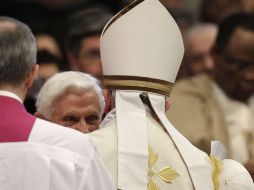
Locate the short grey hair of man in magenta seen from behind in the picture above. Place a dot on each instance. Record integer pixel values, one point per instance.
(17, 51)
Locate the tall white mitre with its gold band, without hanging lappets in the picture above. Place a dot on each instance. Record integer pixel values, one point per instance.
(141, 48)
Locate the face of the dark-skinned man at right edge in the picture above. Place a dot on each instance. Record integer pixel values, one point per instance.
(235, 71)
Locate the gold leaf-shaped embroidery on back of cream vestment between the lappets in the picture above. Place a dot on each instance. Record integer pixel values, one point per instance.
(166, 174)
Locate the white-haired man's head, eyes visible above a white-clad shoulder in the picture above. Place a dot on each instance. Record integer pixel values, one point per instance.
(72, 99)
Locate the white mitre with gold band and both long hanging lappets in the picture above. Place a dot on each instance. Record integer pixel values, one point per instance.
(141, 51)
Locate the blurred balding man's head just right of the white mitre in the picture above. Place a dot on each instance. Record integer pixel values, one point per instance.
(198, 40)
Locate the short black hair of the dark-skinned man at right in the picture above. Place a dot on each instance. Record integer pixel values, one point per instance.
(229, 25)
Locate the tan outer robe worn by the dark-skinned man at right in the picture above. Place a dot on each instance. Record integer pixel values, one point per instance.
(198, 115)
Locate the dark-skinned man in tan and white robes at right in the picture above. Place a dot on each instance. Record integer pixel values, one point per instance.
(215, 106)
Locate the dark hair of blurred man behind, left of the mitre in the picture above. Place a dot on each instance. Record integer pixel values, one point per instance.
(83, 24)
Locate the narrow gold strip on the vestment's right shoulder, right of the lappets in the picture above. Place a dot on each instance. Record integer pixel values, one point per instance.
(217, 167)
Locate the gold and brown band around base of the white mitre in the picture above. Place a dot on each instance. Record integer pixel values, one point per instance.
(137, 83)
